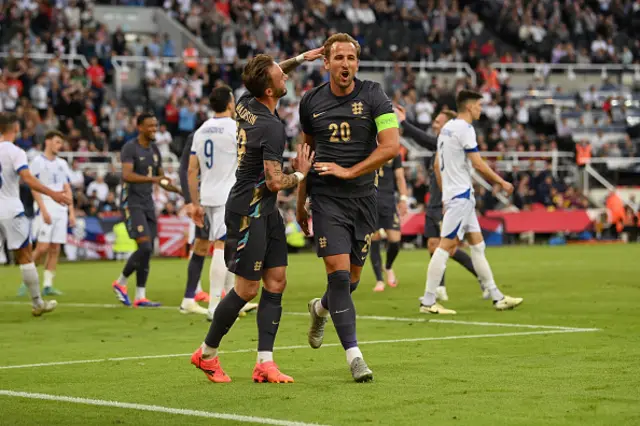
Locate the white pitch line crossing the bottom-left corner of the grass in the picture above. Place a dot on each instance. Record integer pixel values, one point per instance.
(155, 408)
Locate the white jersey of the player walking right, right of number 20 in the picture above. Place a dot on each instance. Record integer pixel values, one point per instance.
(456, 139)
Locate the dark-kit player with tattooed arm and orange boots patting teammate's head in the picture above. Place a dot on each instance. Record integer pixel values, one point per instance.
(256, 246)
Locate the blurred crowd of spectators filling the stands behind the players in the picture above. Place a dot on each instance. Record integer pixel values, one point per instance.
(55, 93)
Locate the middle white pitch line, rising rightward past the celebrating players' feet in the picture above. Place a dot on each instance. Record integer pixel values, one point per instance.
(282, 348)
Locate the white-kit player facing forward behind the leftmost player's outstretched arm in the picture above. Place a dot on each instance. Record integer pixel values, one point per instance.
(52, 219)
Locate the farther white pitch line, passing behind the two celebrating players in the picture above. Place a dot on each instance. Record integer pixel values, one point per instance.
(362, 317)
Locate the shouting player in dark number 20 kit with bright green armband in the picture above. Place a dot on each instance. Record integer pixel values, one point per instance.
(341, 121)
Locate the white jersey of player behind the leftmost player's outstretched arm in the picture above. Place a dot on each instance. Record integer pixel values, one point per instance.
(54, 174)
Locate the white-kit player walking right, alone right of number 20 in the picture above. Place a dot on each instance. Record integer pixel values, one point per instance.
(457, 155)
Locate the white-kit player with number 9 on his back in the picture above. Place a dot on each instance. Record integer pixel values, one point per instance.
(214, 158)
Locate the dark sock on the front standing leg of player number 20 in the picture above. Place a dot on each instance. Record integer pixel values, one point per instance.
(343, 311)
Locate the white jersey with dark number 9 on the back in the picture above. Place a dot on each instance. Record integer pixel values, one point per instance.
(215, 145)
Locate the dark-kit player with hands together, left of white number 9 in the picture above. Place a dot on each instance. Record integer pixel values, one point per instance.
(141, 168)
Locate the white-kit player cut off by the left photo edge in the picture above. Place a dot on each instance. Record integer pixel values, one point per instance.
(14, 225)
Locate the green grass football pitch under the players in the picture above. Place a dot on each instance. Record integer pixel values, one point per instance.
(570, 354)
